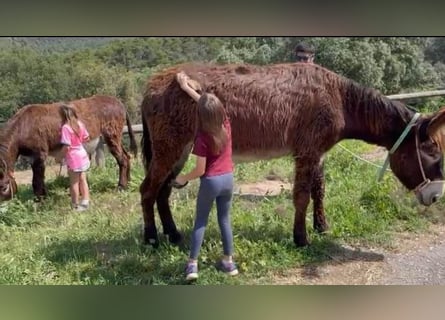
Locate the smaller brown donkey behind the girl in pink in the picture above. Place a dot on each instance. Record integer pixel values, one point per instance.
(34, 132)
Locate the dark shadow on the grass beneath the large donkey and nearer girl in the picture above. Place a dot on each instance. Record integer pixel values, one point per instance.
(126, 261)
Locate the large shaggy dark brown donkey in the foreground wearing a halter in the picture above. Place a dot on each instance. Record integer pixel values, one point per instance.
(295, 109)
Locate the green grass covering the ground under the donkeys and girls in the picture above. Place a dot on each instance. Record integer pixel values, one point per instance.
(47, 243)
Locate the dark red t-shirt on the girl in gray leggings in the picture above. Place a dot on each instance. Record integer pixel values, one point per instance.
(215, 164)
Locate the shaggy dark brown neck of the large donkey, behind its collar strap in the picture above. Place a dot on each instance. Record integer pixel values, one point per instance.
(373, 118)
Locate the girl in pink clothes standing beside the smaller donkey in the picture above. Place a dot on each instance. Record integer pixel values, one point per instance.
(73, 135)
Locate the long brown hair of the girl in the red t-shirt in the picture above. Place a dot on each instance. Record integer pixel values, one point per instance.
(211, 115)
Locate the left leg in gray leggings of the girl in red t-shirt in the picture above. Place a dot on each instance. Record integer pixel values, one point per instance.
(206, 196)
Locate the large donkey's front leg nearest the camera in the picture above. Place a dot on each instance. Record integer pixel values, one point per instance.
(304, 174)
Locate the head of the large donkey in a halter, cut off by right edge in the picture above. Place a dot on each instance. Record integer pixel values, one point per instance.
(418, 162)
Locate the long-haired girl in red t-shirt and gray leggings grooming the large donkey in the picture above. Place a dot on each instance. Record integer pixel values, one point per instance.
(214, 166)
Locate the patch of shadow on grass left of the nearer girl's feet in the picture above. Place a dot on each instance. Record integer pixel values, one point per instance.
(115, 261)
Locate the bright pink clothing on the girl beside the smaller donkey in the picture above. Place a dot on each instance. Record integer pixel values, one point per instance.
(76, 157)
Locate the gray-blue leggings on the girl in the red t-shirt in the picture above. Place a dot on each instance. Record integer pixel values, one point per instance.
(220, 190)
